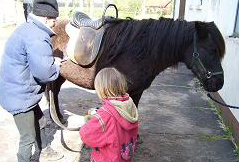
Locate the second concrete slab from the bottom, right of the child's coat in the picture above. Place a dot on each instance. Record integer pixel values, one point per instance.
(176, 120)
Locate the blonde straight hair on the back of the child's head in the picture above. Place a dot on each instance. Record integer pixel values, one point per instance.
(109, 82)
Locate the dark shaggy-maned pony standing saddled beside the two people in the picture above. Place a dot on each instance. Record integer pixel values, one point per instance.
(141, 49)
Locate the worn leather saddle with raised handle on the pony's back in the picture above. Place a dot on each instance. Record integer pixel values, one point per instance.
(90, 33)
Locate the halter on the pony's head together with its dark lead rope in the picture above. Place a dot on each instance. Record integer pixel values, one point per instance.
(197, 64)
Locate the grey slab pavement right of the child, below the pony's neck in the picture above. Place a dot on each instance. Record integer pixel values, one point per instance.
(174, 118)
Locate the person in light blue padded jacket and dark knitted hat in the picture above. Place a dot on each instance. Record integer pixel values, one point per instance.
(27, 65)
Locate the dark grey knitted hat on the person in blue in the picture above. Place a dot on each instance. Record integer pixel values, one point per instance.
(45, 8)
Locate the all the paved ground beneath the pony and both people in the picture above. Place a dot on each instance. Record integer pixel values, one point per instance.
(176, 123)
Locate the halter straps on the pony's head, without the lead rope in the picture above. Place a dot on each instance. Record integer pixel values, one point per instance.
(197, 63)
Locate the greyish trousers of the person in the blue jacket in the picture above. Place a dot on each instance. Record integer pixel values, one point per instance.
(31, 132)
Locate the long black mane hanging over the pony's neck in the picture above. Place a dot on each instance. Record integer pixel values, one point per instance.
(148, 38)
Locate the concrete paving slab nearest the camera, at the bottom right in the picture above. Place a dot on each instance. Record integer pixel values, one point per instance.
(182, 148)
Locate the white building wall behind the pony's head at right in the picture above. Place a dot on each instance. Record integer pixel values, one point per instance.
(223, 13)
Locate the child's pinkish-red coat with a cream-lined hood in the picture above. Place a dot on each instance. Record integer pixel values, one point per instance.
(112, 132)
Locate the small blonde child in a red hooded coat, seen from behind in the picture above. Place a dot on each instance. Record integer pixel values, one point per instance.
(112, 131)
